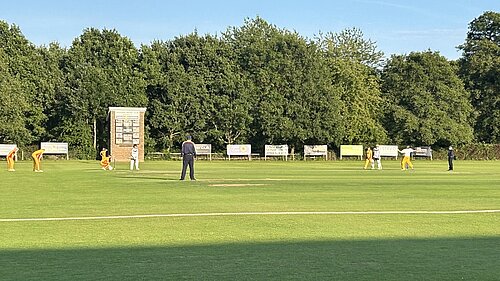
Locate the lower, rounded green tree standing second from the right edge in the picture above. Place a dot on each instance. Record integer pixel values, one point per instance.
(425, 101)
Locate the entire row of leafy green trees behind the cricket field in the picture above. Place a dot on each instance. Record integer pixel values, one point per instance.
(256, 83)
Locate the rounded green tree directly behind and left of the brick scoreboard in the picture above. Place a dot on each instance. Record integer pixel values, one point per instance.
(101, 70)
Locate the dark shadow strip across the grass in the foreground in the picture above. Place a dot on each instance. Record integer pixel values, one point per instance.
(426, 259)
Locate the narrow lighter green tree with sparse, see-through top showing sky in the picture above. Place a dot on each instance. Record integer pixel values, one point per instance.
(352, 64)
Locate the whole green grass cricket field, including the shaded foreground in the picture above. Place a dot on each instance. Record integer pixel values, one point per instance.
(256, 239)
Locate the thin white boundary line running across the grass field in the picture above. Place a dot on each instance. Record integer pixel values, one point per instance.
(254, 214)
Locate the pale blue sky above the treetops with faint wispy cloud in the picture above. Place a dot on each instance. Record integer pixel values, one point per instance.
(396, 26)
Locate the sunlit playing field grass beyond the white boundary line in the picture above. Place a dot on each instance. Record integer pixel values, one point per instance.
(80, 188)
